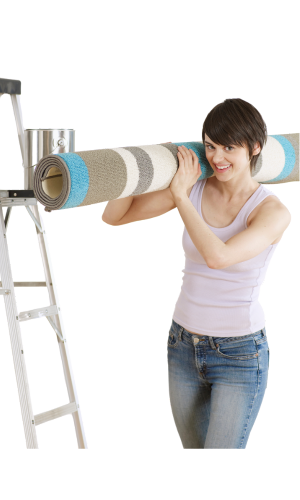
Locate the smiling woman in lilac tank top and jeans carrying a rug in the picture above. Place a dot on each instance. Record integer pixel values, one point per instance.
(218, 346)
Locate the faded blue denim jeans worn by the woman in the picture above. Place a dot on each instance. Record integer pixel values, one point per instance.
(217, 386)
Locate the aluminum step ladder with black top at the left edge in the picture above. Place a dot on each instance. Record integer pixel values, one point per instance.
(51, 312)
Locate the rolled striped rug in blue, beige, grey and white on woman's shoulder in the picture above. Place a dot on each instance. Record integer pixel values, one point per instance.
(92, 177)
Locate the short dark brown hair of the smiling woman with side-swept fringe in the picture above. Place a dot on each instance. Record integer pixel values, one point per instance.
(235, 122)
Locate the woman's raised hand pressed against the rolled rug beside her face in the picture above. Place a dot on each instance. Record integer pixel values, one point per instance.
(188, 172)
